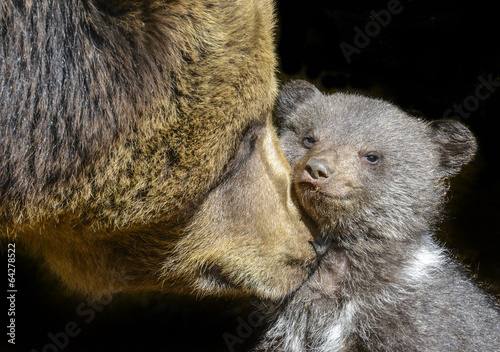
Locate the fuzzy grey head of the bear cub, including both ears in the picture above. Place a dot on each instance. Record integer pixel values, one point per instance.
(362, 166)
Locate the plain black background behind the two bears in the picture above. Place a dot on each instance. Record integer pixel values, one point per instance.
(428, 57)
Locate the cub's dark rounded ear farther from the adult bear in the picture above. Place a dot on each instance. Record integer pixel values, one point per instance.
(456, 145)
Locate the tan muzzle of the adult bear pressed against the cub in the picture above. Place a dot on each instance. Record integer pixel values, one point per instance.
(233, 241)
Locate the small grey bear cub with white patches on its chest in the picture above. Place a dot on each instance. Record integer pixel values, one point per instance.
(374, 180)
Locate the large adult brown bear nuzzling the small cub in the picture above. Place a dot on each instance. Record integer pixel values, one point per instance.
(137, 150)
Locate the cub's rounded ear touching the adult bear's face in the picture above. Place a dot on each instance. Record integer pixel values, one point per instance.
(293, 94)
